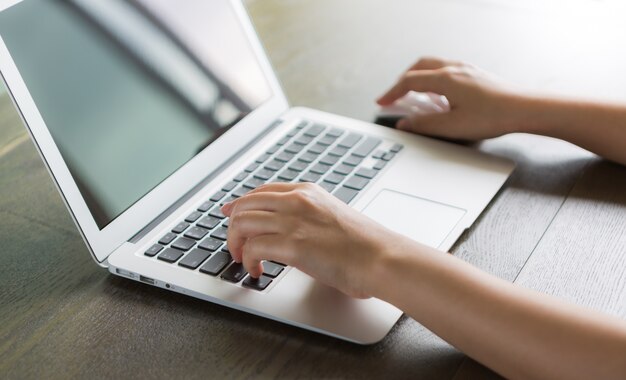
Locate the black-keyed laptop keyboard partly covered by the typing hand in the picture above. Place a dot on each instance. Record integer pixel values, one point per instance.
(341, 162)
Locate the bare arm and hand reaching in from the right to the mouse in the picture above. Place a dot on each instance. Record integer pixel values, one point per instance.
(483, 107)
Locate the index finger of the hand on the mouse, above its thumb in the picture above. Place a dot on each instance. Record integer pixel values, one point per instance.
(421, 81)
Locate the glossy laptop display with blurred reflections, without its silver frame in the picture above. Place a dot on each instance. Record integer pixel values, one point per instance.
(131, 90)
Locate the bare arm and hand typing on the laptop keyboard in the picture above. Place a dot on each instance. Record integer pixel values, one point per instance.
(517, 332)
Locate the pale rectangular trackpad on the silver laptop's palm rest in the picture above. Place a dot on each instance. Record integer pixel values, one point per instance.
(425, 221)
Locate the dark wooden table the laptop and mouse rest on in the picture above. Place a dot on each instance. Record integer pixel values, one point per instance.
(558, 225)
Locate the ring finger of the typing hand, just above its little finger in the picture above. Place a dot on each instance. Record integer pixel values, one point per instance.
(249, 224)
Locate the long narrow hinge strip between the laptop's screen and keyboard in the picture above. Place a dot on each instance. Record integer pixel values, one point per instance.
(191, 193)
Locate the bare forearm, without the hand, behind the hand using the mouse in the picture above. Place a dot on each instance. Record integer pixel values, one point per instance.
(597, 127)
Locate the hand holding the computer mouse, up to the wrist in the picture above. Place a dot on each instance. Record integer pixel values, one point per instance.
(481, 107)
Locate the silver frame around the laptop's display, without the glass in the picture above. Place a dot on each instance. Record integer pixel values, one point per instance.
(103, 242)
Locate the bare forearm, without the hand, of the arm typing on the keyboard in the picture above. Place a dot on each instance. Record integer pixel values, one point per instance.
(517, 332)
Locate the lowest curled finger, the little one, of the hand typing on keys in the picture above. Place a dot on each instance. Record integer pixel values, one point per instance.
(265, 247)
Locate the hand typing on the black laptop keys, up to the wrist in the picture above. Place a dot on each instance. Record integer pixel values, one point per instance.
(304, 226)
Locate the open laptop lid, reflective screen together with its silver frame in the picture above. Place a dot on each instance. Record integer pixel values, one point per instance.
(133, 102)
